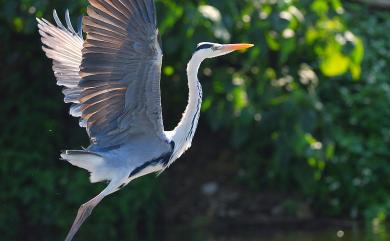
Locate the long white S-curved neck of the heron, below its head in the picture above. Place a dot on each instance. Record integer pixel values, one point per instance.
(184, 132)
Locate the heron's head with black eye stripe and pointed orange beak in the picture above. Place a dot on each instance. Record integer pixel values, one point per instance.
(211, 50)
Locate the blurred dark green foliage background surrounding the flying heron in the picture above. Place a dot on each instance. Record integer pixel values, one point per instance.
(295, 130)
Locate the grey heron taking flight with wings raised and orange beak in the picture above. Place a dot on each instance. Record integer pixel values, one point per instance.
(112, 79)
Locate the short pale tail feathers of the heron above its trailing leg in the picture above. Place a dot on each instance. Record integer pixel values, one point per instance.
(89, 161)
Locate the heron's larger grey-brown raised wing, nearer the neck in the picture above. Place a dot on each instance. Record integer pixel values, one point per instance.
(120, 70)
